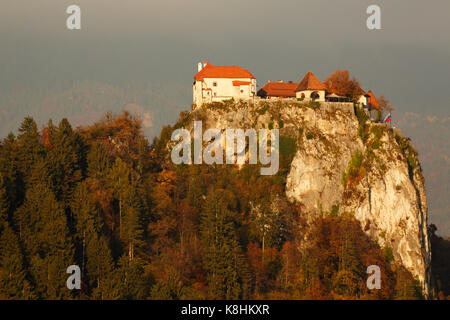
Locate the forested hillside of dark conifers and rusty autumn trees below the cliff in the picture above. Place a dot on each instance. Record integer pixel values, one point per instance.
(104, 198)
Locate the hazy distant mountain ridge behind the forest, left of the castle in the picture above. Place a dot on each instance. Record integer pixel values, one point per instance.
(84, 102)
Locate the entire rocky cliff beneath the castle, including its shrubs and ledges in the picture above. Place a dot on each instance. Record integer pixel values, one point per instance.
(346, 163)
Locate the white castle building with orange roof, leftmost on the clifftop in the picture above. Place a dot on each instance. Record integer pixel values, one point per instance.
(219, 83)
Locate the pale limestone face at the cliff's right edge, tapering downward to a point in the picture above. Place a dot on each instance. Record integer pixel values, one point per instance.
(394, 207)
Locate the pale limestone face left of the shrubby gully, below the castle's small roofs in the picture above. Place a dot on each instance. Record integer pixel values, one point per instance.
(323, 154)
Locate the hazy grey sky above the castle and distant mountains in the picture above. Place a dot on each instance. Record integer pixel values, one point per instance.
(161, 41)
